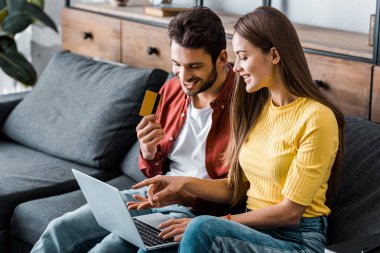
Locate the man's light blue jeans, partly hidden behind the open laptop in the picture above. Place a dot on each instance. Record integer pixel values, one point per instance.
(78, 231)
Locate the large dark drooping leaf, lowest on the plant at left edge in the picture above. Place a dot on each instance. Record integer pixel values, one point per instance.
(15, 64)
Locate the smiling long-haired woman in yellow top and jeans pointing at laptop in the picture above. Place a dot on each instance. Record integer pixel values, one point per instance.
(286, 147)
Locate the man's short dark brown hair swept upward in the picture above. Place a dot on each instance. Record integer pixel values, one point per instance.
(198, 28)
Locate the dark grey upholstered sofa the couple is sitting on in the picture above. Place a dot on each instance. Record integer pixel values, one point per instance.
(82, 114)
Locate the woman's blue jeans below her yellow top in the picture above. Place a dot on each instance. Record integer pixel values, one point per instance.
(211, 234)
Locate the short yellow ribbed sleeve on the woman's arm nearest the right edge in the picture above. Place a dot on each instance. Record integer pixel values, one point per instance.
(318, 142)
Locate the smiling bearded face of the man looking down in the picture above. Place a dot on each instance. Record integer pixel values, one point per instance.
(193, 68)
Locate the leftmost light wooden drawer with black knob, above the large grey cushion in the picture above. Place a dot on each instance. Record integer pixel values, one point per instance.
(91, 34)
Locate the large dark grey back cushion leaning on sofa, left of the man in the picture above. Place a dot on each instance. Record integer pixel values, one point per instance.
(83, 110)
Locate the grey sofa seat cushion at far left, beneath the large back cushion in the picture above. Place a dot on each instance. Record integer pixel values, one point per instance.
(28, 174)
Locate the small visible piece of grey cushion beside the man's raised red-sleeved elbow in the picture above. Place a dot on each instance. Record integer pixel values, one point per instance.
(130, 164)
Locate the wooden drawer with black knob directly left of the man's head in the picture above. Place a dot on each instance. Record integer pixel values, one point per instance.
(145, 46)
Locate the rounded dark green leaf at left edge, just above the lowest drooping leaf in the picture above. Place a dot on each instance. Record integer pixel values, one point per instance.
(16, 22)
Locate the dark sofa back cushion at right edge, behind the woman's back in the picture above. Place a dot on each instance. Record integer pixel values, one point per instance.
(356, 210)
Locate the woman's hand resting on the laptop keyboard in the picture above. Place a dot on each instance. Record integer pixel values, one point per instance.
(174, 228)
